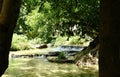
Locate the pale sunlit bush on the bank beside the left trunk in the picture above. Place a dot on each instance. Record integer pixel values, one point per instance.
(19, 42)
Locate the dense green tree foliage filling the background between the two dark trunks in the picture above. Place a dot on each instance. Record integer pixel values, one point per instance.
(48, 20)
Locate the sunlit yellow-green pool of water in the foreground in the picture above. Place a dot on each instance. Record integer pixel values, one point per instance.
(41, 68)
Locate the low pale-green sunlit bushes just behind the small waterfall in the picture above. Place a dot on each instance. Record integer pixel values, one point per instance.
(73, 40)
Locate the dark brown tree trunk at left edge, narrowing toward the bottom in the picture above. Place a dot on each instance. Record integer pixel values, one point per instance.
(9, 10)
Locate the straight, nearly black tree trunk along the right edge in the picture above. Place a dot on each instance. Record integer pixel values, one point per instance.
(109, 55)
